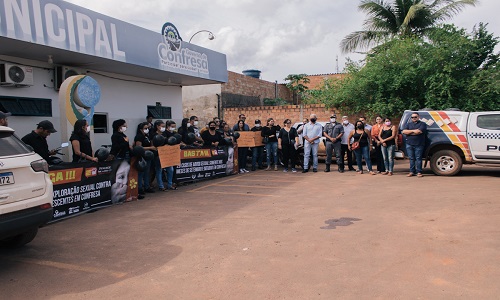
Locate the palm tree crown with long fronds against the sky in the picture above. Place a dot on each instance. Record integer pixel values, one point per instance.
(389, 19)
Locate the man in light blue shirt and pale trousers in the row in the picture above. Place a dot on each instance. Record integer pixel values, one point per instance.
(312, 134)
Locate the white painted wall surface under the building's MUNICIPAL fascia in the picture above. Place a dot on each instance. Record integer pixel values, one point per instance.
(122, 98)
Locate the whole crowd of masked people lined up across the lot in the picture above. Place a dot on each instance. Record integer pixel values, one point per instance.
(345, 139)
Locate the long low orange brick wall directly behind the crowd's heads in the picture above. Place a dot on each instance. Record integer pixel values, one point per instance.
(279, 113)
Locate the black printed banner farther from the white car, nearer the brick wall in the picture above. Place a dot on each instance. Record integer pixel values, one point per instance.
(204, 163)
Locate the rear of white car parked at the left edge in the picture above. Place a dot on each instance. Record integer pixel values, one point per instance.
(25, 191)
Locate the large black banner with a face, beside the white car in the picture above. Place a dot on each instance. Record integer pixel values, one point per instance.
(80, 187)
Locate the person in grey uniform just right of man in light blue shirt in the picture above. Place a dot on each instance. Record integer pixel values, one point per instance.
(333, 133)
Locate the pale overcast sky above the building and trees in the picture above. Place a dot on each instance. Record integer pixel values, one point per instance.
(275, 36)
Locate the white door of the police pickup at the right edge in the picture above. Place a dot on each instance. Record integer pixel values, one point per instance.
(483, 133)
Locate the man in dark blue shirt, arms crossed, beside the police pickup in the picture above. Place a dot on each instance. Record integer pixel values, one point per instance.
(414, 132)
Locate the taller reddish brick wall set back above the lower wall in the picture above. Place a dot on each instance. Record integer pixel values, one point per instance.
(245, 85)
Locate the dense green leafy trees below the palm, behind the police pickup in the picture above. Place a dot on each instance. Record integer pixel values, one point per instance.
(450, 68)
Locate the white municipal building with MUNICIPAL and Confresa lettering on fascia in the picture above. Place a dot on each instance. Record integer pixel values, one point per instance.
(139, 72)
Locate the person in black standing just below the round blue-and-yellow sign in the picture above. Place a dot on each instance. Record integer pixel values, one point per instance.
(80, 142)
